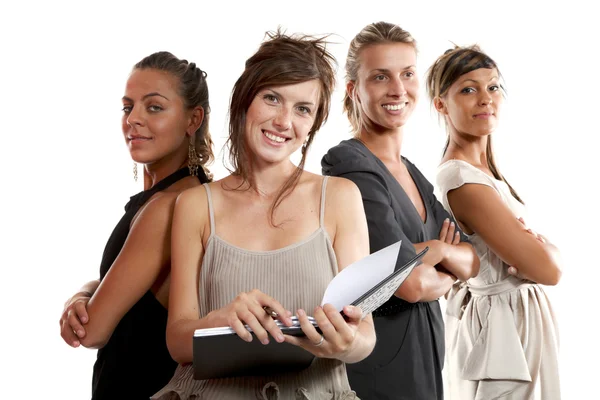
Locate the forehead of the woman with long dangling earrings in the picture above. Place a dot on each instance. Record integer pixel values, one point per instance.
(144, 81)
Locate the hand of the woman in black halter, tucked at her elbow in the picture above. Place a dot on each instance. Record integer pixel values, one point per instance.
(73, 317)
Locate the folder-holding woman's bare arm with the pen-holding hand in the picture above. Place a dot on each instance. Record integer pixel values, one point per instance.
(190, 227)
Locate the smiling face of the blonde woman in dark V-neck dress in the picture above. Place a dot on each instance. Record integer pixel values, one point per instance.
(387, 87)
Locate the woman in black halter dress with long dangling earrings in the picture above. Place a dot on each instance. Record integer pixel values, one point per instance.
(124, 313)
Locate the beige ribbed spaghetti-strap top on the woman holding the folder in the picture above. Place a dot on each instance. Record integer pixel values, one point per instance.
(297, 276)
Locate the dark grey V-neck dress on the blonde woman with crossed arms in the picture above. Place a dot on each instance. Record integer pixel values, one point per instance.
(407, 361)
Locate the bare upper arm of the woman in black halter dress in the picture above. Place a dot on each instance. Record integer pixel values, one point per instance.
(145, 253)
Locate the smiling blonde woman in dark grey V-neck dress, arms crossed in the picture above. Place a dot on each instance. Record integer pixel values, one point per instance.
(382, 90)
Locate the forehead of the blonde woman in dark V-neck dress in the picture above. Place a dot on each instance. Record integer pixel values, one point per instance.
(391, 56)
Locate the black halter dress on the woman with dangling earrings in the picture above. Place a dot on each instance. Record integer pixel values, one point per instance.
(135, 363)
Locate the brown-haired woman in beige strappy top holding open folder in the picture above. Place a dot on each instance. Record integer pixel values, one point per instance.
(270, 235)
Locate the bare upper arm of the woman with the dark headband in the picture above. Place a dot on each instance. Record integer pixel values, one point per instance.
(480, 208)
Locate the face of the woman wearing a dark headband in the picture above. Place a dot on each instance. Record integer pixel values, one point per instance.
(472, 104)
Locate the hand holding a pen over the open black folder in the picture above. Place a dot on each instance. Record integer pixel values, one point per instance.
(249, 308)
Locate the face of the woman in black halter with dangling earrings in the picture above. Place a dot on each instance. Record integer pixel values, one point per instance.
(155, 119)
